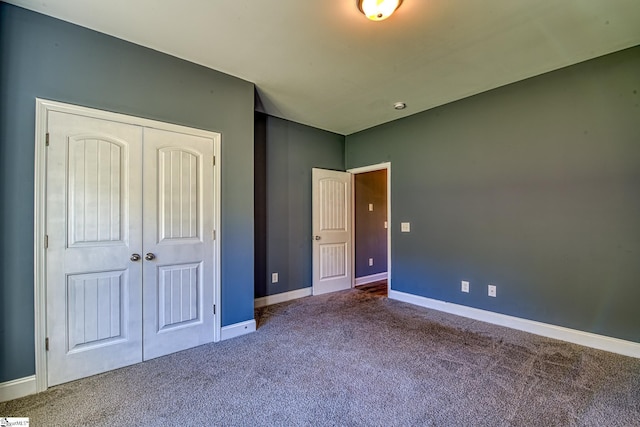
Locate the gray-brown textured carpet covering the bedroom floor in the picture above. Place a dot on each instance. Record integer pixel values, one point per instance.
(356, 358)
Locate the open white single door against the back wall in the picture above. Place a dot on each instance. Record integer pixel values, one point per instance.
(331, 212)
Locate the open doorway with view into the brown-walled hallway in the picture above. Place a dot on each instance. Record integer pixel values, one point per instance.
(371, 218)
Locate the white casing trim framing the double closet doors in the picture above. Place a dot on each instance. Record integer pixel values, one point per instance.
(43, 107)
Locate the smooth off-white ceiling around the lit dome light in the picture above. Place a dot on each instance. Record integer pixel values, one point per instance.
(322, 63)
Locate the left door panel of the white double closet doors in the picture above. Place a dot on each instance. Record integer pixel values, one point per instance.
(94, 306)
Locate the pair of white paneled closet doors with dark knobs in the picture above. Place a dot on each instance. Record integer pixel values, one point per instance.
(130, 247)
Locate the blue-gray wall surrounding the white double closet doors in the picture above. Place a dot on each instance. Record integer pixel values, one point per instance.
(48, 58)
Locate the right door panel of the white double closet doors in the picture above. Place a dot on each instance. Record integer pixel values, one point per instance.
(178, 242)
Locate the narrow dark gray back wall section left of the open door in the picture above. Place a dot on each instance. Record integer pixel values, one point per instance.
(291, 150)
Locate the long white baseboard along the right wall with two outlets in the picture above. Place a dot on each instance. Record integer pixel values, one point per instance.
(588, 339)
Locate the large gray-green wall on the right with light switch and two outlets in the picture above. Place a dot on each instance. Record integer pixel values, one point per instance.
(533, 187)
